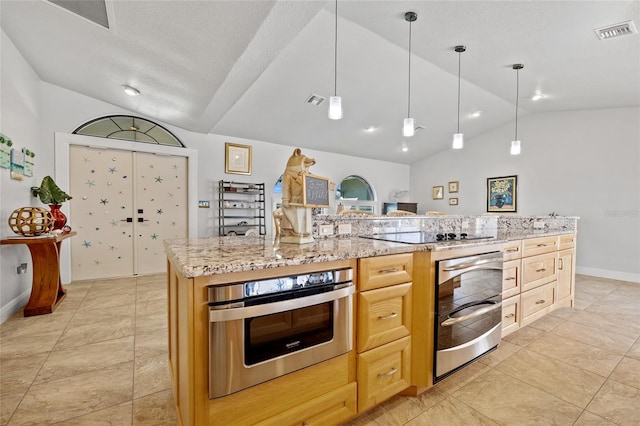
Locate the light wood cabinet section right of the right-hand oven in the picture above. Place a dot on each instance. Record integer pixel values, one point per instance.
(538, 276)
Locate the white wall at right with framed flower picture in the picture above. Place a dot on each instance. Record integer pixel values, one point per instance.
(575, 163)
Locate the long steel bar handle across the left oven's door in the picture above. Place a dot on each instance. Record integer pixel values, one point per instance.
(220, 315)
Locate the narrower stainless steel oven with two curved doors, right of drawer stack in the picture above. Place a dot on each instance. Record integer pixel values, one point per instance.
(468, 310)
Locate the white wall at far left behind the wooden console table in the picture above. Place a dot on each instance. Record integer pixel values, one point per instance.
(20, 114)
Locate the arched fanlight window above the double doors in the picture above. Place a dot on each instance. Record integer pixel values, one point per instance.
(129, 128)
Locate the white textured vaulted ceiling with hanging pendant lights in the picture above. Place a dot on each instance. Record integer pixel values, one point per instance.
(245, 68)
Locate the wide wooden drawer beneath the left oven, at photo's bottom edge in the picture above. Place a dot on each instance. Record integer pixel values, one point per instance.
(332, 408)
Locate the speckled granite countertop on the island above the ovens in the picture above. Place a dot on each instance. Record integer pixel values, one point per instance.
(222, 255)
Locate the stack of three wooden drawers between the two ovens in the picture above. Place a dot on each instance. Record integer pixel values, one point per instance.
(383, 327)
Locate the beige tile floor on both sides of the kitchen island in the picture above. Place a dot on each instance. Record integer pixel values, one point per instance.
(100, 359)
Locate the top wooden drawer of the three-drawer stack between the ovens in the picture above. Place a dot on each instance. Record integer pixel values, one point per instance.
(383, 271)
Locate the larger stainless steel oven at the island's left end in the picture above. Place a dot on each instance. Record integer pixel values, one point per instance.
(264, 329)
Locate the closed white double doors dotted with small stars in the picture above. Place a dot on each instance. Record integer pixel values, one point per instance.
(124, 205)
